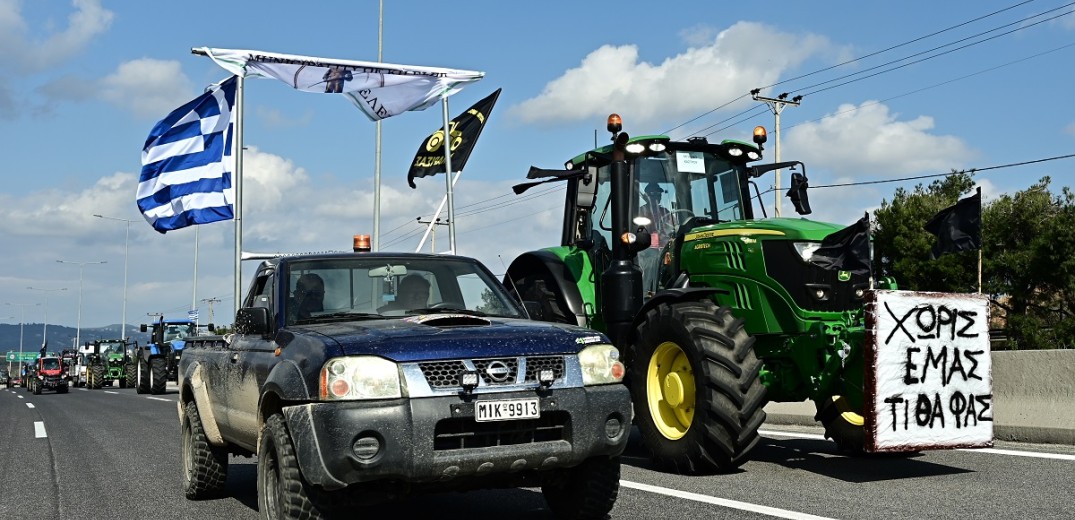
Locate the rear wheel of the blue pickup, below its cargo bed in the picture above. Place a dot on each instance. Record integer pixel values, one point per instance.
(205, 466)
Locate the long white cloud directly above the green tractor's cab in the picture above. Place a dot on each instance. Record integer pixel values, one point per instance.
(612, 79)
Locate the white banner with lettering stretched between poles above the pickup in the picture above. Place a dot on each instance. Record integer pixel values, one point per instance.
(381, 91)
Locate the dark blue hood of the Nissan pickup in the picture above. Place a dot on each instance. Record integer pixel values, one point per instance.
(449, 337)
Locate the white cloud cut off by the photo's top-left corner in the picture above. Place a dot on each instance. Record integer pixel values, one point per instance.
(33, 54)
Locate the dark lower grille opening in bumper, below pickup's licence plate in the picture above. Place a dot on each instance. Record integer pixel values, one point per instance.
(466, 434)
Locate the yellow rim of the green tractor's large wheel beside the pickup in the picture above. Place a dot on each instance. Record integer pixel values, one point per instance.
(670, 391)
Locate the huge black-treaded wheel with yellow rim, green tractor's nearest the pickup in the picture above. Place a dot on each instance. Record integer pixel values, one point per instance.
(695, 381)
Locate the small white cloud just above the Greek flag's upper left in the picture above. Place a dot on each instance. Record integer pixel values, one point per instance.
(148, 88)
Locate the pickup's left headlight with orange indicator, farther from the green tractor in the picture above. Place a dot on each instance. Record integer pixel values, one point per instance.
(360, 378)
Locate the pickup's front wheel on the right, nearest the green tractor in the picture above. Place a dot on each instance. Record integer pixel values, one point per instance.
(589, 490)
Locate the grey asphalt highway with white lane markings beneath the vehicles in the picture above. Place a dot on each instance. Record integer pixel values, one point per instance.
(114, 455)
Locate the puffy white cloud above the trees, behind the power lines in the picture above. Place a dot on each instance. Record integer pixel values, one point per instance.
(870, 142)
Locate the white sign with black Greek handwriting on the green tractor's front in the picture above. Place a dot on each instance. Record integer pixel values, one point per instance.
(929, 372)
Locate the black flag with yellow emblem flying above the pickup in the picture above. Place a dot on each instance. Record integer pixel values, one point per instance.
(465, 131)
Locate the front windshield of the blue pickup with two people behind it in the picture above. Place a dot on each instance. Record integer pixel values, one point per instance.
(381, 286)
